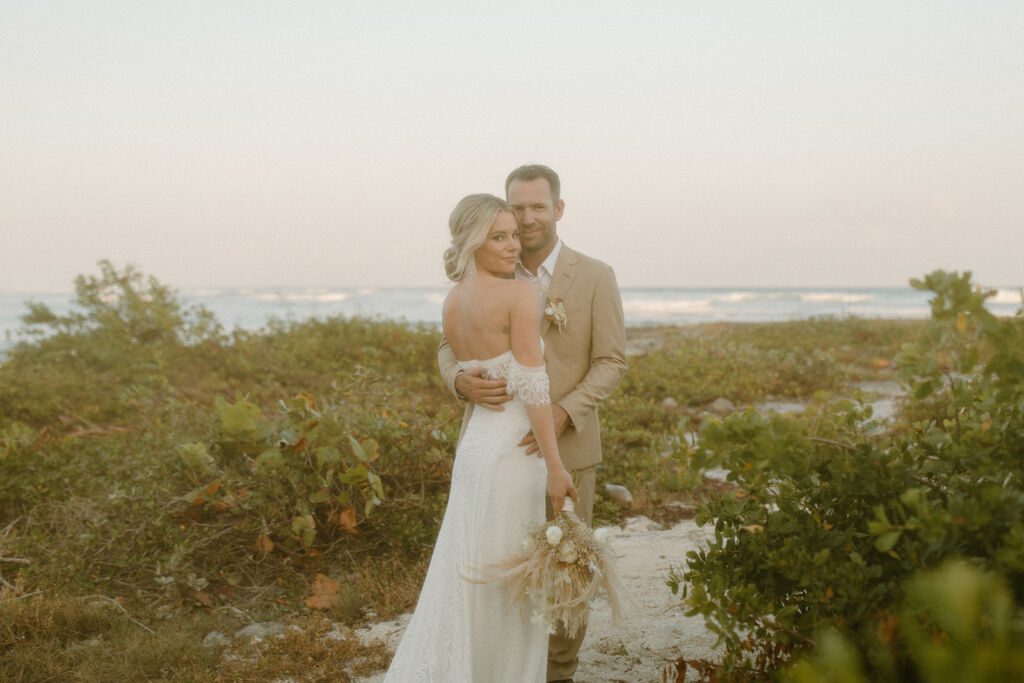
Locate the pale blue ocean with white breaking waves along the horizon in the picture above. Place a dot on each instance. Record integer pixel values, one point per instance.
(251, 308)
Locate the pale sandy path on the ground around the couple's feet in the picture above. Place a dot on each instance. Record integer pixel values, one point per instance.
(657, 632)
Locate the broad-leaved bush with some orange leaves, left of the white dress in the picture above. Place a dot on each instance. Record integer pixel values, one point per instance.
(298, 481)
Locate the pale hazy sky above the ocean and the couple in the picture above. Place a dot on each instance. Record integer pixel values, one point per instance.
(325, 144)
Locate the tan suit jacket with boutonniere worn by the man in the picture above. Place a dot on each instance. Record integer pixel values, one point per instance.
(585, 361)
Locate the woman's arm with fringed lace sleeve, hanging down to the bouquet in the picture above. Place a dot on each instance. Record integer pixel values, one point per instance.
(526, 334)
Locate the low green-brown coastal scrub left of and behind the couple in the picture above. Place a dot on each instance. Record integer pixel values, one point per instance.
(162, 478)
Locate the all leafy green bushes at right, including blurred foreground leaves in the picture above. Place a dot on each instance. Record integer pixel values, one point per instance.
(843, 537)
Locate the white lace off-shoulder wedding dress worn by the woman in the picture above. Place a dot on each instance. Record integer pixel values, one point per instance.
(464, 632)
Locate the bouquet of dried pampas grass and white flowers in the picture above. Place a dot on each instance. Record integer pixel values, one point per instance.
(561, 570)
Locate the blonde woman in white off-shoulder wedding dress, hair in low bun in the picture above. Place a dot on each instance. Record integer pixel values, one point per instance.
(464, 632)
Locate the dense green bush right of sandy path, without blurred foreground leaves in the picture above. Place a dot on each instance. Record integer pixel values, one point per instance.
(833, 518)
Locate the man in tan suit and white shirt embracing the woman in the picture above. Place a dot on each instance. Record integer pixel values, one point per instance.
(585, 352)
